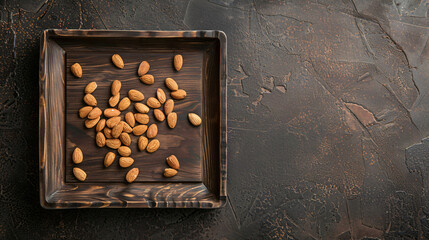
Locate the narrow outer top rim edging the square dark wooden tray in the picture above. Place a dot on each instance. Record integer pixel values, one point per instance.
(48, 202)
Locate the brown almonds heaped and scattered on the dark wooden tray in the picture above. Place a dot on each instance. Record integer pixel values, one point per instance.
(114, 133)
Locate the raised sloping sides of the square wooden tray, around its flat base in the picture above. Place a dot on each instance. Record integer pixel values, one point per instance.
(56, 193)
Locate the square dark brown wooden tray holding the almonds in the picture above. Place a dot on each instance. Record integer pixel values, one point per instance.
(201, 181)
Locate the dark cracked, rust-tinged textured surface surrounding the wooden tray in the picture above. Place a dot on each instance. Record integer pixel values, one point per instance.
(327, 109)
